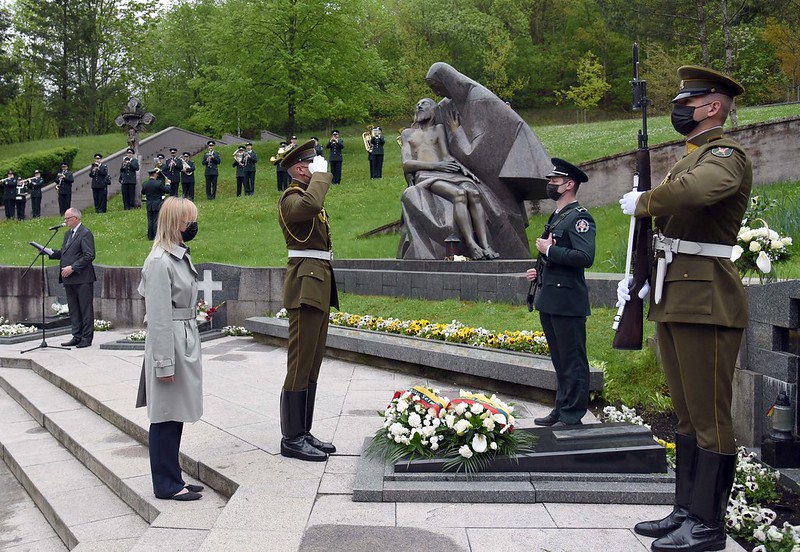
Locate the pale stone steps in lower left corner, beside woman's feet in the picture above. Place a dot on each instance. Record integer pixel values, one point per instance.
(89, 478)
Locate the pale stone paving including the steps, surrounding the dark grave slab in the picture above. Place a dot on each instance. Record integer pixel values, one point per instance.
(262, 500)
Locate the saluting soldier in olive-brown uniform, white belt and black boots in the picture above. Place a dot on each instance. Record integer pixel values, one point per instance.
(309, 291)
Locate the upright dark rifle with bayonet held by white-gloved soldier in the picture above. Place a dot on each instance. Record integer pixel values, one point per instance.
(629, 321)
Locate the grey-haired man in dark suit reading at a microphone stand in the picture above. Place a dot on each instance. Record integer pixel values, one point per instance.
(77, 275)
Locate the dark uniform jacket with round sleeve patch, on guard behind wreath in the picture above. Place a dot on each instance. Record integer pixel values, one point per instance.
(564, 291)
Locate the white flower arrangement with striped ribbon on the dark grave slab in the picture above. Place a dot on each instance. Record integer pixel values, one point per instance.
(468, 431)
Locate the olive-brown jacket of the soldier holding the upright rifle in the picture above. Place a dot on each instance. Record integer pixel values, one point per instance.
(703, 198)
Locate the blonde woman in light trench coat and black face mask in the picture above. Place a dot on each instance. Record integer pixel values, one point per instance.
(172, 371)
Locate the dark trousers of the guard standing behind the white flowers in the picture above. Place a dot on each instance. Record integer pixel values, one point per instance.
(566, 337)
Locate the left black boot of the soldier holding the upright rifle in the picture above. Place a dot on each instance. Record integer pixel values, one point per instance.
(685, 455)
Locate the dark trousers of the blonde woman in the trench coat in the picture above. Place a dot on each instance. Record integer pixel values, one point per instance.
(164, 443)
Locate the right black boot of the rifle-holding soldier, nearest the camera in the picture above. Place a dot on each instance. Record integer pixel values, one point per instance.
(704, 527)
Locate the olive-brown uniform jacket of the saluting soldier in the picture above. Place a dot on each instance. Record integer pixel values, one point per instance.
(302, 217)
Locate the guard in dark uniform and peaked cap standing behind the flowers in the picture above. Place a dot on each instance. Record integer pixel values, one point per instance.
(567, 249)
